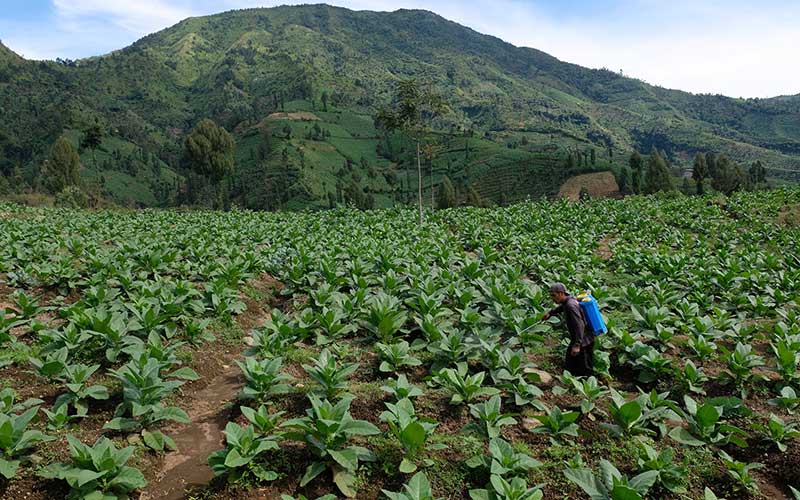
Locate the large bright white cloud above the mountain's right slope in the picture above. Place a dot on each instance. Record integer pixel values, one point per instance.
(732, 51)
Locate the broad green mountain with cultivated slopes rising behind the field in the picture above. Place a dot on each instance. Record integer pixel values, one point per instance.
(515, 114)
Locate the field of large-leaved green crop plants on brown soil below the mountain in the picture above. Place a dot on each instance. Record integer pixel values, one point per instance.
(167, 354)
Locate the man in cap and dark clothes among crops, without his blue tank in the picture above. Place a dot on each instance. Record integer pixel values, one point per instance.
(579, 358)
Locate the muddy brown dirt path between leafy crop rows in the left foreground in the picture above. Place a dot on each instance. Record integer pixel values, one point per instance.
(188, 466)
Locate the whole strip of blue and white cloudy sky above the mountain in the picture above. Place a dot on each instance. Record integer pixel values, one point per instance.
(738, 48)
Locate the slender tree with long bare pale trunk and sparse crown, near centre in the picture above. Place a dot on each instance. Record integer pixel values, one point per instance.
(412, 109)
